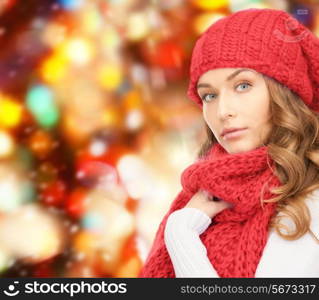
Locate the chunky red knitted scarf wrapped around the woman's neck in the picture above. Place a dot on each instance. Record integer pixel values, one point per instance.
(237, 236)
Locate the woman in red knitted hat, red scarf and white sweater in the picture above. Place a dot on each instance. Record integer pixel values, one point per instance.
(256, 71)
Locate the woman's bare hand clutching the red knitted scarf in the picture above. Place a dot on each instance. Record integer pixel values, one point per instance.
(203, 201)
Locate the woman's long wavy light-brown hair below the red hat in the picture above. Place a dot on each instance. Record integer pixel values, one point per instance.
(294, 147)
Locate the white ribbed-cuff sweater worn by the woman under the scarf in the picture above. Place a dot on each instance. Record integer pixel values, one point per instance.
(280, 258)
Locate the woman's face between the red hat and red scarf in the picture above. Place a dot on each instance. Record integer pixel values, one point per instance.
(236, 98)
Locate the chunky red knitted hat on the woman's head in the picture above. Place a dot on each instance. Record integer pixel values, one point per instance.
(269, 41)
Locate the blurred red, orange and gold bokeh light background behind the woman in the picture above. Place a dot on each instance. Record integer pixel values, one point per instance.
(96, 127)
